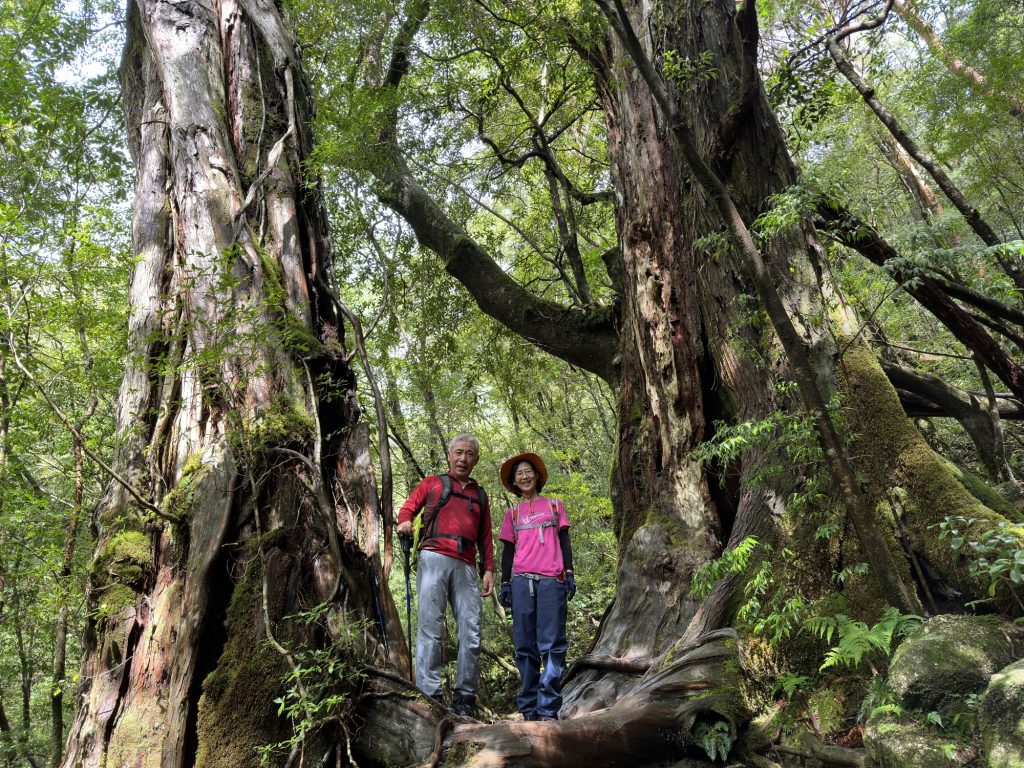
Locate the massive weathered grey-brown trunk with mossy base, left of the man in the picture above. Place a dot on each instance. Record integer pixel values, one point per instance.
(237, 413)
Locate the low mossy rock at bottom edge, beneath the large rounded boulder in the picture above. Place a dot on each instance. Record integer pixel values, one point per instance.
(910, 744)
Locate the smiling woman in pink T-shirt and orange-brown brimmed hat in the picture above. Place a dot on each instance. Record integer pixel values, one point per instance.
(537, 580)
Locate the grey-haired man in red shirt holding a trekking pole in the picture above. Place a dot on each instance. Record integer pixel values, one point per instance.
(451, 538)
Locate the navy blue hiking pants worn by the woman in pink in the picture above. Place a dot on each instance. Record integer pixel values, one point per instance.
(539, 635)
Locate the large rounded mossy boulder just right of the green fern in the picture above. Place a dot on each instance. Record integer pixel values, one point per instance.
(951, 657)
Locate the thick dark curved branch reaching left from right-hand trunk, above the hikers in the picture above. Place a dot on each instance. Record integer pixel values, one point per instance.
(584, 338)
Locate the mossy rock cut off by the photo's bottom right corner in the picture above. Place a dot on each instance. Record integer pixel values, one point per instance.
(1002, 718)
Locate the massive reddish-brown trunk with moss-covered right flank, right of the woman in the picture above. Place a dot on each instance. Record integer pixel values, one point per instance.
(693, 352)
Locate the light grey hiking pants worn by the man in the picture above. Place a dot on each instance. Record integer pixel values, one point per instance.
(442, 580)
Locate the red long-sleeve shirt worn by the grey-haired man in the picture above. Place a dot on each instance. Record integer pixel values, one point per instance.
(459, 517)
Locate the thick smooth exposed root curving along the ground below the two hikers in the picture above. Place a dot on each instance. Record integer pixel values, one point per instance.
(654, 723)
